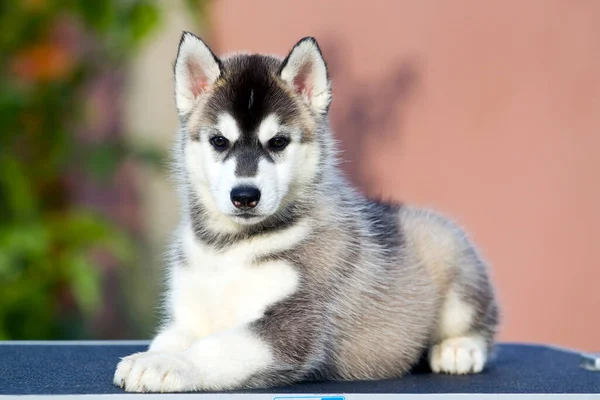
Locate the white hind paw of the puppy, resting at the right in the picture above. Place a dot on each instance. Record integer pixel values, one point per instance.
(459, 355)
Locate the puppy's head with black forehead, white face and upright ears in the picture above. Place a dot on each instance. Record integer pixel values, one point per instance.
(250, 126)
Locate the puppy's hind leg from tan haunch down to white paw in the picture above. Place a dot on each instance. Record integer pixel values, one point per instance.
(468, 316)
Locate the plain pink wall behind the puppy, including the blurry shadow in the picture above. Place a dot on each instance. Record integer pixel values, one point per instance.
(486, 110)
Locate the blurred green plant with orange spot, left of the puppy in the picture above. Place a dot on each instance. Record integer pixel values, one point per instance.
(52, 249)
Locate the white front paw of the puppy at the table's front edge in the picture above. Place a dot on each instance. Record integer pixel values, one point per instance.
(156, 372)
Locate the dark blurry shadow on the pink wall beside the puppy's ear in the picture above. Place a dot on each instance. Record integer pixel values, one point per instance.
(367, 110)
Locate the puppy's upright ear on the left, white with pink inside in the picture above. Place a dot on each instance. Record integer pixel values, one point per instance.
(196, 70)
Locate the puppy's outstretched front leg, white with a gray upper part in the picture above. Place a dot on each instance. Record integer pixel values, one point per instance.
(278, 349)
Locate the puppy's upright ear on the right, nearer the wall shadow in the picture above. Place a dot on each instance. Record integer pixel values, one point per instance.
(306, 71)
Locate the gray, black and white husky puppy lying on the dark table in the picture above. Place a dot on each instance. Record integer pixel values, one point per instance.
(280, 271)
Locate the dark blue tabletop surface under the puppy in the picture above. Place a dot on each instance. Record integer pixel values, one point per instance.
(88, 369)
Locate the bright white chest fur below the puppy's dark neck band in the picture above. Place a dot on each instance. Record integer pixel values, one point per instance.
(217, 291)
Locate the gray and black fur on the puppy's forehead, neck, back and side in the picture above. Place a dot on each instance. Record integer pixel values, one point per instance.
(369, 301)
